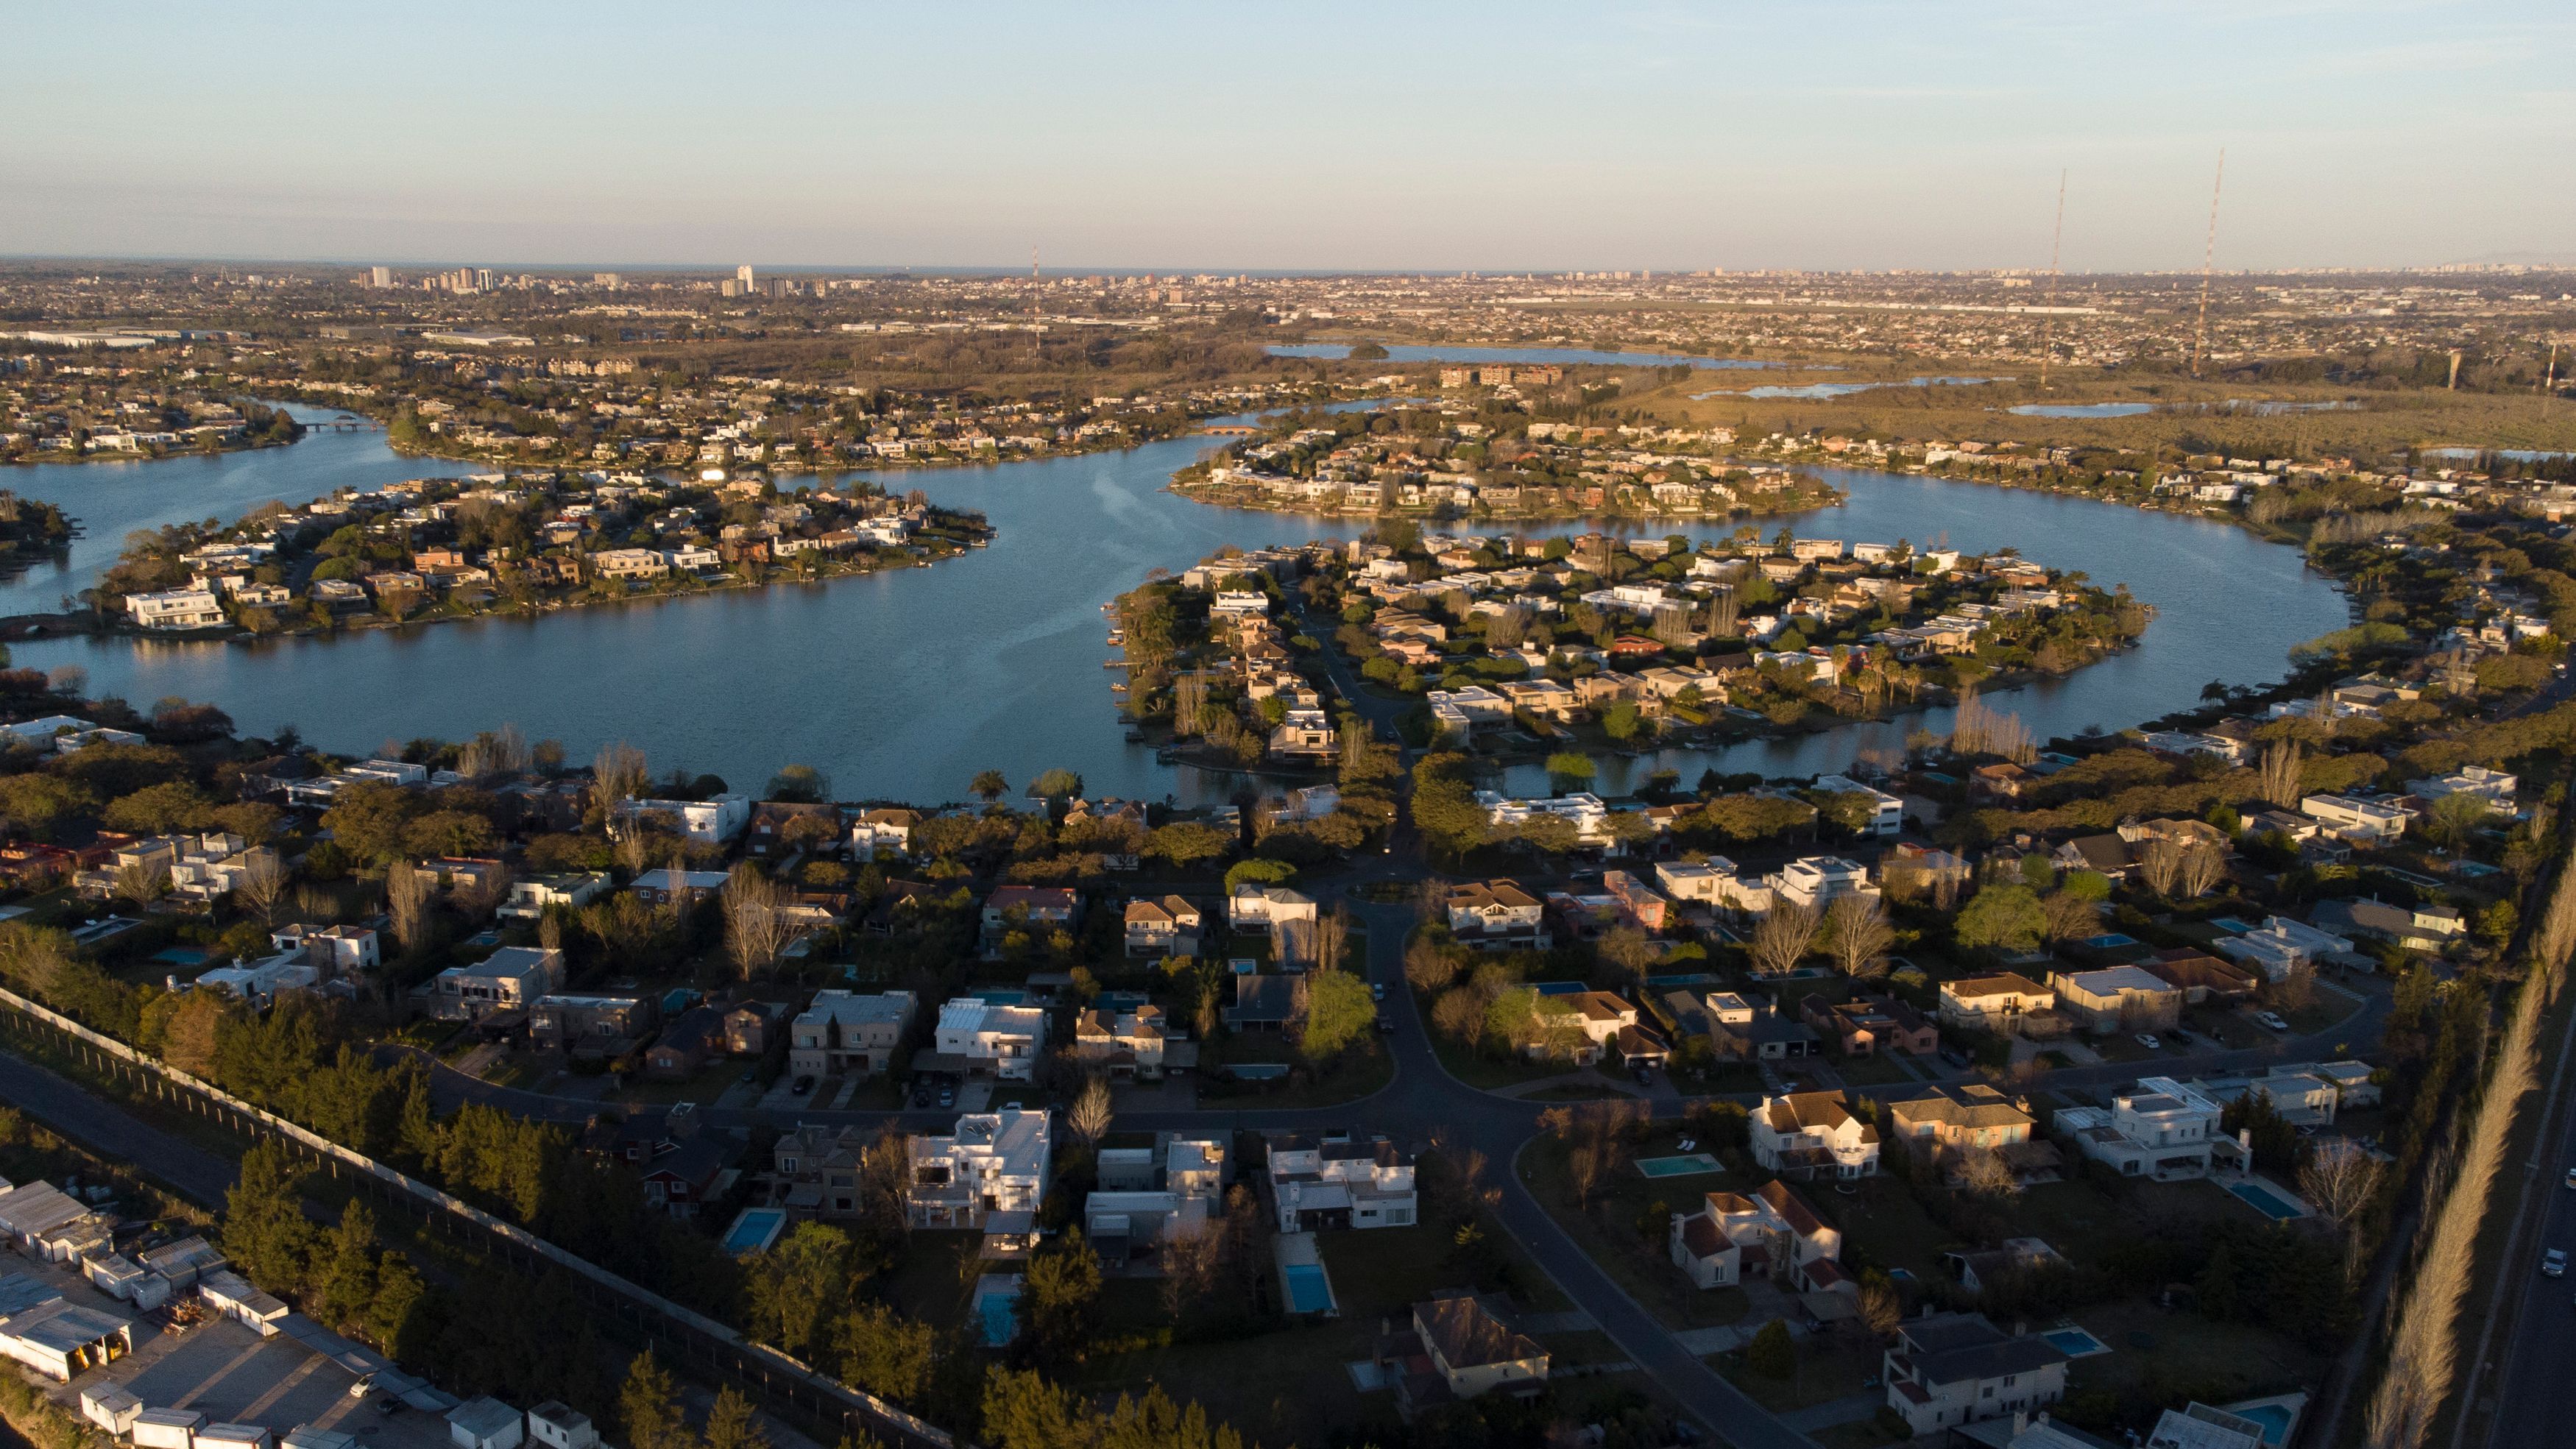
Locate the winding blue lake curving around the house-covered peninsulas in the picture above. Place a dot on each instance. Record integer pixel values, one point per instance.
(913, 681)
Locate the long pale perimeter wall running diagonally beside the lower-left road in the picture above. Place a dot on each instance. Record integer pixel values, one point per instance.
(779, 1378)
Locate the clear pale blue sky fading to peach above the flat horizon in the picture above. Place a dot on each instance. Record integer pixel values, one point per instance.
(1305, 135)
